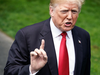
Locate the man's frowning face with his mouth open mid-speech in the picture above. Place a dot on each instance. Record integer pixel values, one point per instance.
(64, 15)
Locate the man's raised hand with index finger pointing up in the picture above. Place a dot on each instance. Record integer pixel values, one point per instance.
(38, 58)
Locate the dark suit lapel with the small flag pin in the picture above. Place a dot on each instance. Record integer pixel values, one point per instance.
(78, 51)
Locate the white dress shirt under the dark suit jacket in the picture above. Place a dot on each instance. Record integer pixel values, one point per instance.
(70, 46)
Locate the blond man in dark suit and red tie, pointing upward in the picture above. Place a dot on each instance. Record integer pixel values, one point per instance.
(29, 55)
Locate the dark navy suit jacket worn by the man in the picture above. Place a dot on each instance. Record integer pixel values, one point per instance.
(29, 38)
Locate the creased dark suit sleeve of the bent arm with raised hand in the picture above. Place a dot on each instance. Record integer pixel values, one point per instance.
(19, 57)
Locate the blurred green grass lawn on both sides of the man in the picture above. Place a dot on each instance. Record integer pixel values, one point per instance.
(16, 14)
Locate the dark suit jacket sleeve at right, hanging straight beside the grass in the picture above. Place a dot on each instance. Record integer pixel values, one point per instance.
(86, 55)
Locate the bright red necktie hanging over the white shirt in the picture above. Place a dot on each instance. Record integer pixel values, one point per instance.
(63, 68)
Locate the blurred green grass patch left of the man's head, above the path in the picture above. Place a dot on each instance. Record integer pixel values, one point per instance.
(15, 15)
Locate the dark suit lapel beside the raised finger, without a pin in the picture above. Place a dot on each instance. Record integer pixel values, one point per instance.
(49, 47)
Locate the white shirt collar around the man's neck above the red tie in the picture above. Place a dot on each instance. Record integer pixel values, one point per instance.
(56, 32)
